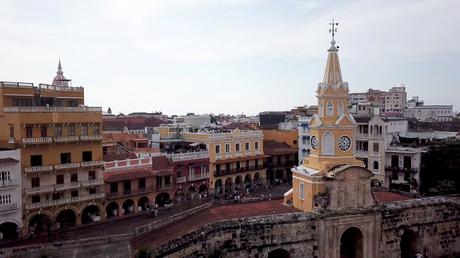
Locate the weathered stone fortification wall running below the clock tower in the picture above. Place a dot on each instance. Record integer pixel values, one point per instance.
(435, 221)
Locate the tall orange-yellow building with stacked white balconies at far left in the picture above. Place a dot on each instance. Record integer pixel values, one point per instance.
(61, 152)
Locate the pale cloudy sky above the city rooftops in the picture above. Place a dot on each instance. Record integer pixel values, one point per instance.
(230, 56)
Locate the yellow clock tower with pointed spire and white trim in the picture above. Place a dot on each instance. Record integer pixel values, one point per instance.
(332, 137)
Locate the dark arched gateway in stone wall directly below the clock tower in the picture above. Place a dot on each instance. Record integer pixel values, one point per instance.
(351, 243)
